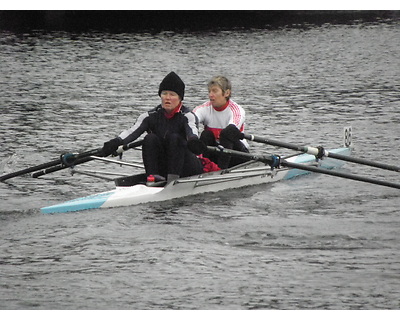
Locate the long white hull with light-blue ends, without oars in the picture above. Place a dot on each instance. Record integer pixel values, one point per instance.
(133, 190)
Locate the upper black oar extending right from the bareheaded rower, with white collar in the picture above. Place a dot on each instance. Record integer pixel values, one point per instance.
(318, 152)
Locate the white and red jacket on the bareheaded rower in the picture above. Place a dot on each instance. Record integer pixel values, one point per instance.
(215, 119)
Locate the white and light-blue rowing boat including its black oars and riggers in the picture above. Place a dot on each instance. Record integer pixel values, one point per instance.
(132, 190)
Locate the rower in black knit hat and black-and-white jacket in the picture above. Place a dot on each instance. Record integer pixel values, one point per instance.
(169, 126)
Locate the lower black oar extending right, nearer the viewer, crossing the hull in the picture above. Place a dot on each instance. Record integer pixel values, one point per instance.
(275, 161)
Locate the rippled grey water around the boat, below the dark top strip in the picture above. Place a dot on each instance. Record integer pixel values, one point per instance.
(316, 242)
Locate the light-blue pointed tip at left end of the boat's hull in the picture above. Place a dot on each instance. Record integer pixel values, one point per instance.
(90, 202)
